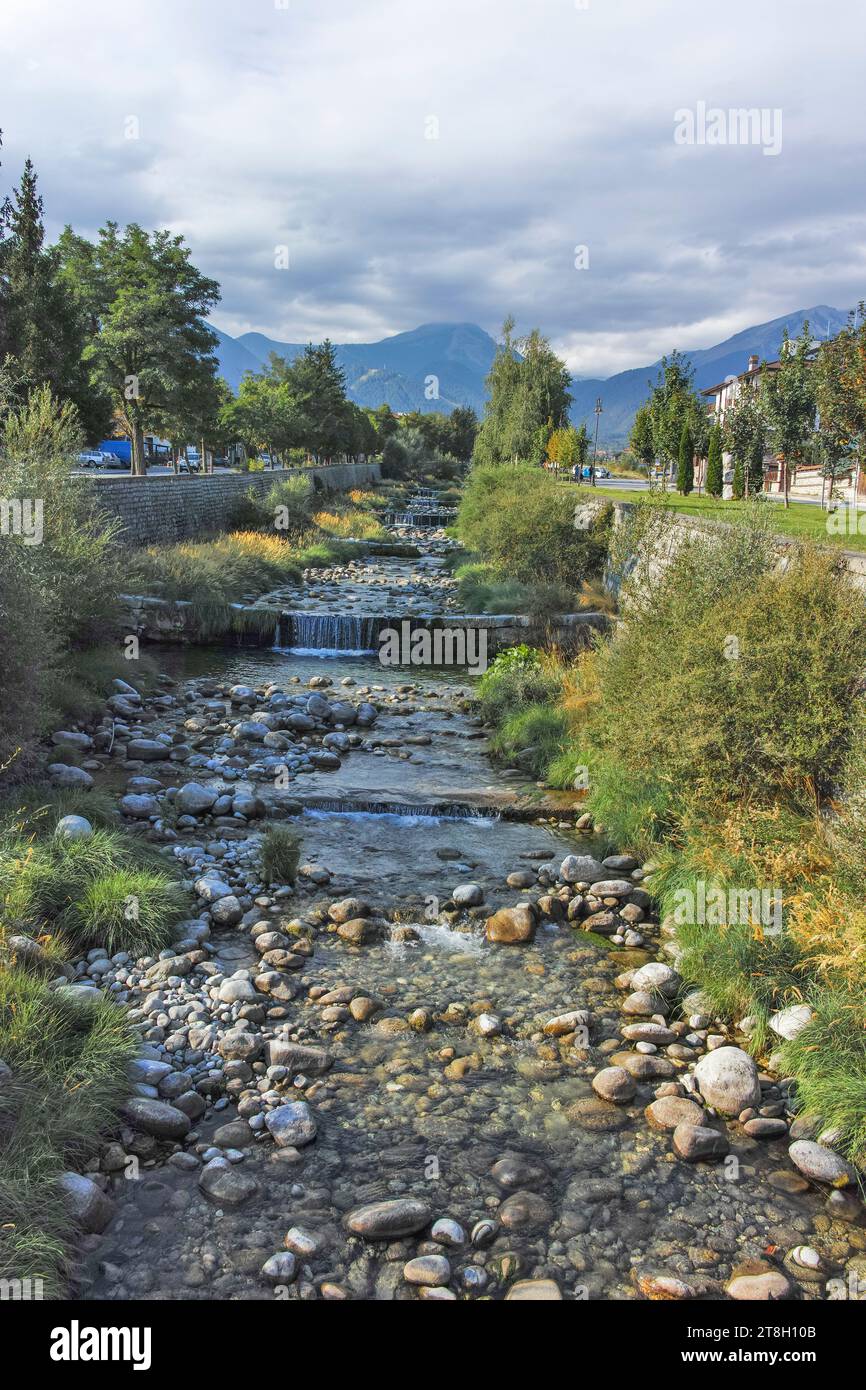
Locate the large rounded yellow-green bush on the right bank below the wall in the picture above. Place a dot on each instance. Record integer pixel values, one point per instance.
(733, 678)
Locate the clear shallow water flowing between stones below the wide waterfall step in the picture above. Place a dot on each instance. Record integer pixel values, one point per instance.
(587, 1195)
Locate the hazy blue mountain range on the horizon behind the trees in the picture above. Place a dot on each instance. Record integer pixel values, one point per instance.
(398, 370)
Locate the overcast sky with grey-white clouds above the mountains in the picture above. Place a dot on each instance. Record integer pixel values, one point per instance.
(454, 161)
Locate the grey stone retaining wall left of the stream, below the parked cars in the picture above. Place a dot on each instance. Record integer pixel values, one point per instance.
(172, 508)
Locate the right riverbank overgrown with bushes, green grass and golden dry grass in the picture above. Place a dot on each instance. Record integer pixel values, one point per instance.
(722, 733)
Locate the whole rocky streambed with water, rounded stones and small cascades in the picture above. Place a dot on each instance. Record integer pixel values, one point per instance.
(455, 1058)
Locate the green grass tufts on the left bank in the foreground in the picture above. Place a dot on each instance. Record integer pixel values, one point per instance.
(63, 1057)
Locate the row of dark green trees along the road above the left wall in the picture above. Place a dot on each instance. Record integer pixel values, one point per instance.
(116, 327)
